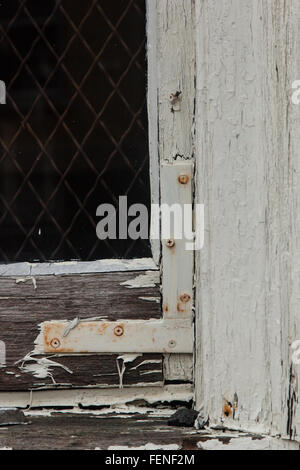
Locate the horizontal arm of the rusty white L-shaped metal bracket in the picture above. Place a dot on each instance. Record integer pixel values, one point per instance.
(152, 336)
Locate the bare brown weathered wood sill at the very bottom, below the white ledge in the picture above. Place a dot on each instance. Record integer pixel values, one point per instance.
(97, 432)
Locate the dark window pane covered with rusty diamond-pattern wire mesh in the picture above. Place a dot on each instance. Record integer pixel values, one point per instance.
(73, 134)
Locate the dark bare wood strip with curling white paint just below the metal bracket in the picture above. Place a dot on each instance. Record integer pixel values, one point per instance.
(81, 371)
